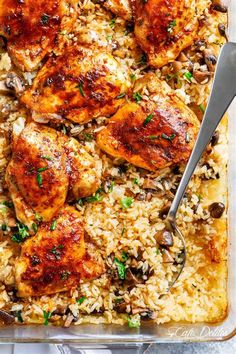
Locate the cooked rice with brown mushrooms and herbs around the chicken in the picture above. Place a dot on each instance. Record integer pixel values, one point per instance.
(129, 209)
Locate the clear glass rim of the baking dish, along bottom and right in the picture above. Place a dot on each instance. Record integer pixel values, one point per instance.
(97, 335)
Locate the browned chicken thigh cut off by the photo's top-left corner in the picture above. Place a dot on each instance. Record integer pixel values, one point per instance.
(31, 27)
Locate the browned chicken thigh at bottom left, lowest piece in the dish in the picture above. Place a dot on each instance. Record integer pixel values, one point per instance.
(57, 258)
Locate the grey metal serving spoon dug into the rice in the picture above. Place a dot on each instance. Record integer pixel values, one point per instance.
(222, 94)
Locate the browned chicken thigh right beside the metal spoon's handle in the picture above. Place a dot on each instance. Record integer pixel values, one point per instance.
(154, 134)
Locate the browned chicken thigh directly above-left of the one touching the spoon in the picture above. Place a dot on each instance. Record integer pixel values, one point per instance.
(80, 85)
